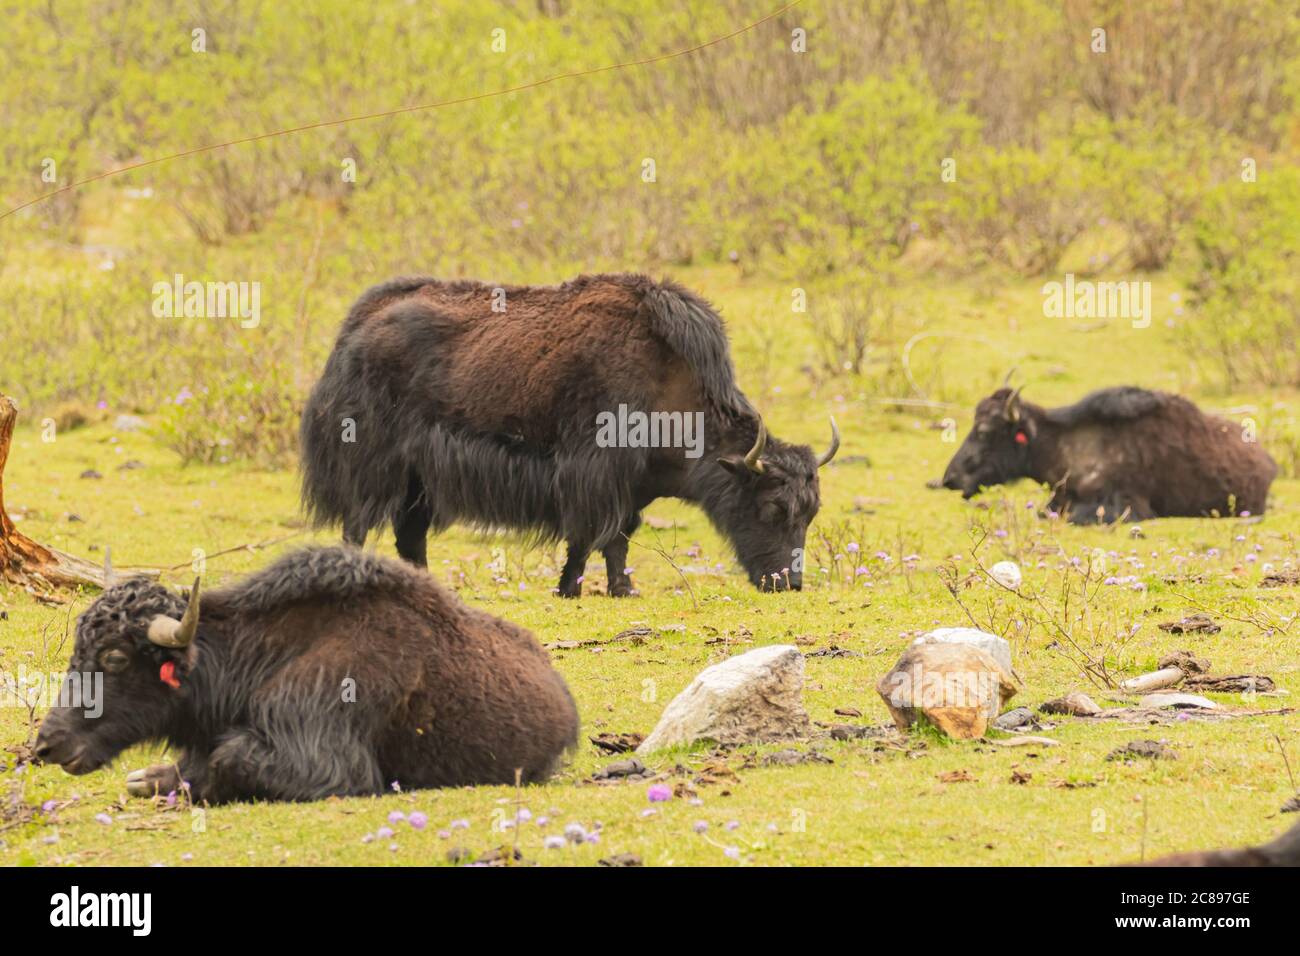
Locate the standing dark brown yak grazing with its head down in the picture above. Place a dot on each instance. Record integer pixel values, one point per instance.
(561, 412)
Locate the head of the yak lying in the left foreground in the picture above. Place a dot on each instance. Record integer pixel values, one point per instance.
(135, 647)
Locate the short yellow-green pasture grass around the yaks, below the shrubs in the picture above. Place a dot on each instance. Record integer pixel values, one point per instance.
(879, 802)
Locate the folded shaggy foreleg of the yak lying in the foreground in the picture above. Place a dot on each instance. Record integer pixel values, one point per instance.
(304, 767)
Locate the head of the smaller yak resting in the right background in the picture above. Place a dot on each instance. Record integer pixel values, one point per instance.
(998, 449)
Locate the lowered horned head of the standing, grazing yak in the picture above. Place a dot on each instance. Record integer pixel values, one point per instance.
(768, 500)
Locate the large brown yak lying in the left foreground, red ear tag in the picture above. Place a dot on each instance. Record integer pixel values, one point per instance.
(330, 673)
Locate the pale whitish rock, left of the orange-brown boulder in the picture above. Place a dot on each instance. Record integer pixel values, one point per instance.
(747, 699)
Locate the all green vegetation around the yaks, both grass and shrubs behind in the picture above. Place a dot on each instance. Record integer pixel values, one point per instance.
(775, 174)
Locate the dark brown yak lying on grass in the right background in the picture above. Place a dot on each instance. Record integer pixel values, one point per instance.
(1121, 453)
